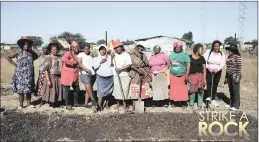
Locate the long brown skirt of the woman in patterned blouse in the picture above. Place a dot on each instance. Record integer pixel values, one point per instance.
(54, 93)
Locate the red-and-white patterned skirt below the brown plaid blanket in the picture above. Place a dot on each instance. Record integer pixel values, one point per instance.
(146, 91)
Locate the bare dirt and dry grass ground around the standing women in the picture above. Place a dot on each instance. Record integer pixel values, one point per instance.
(158, 123)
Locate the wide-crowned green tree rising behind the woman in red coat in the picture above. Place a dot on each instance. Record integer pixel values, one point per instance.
(69, 38)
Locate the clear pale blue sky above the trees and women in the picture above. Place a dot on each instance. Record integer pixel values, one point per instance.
(126, 20)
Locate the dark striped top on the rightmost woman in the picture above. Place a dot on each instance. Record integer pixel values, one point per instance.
(234, 64)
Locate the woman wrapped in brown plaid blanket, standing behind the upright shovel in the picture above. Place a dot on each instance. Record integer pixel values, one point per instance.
(140, 73)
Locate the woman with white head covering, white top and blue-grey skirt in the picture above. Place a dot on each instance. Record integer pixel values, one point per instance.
(104, 76)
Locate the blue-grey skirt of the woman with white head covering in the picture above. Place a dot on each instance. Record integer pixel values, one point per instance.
(104, 85)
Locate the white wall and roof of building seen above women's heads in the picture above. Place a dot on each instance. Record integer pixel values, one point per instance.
(166, 43)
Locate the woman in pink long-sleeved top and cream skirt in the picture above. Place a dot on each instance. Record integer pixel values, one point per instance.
(159, 64)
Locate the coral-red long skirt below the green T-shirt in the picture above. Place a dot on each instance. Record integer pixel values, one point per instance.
(178, 88)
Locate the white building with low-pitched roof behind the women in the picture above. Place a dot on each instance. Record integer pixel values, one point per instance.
(165, 42)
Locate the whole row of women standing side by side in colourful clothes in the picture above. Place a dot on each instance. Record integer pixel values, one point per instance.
(125, 76)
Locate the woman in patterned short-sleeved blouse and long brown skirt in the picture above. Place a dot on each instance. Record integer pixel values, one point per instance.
(51, 88)
